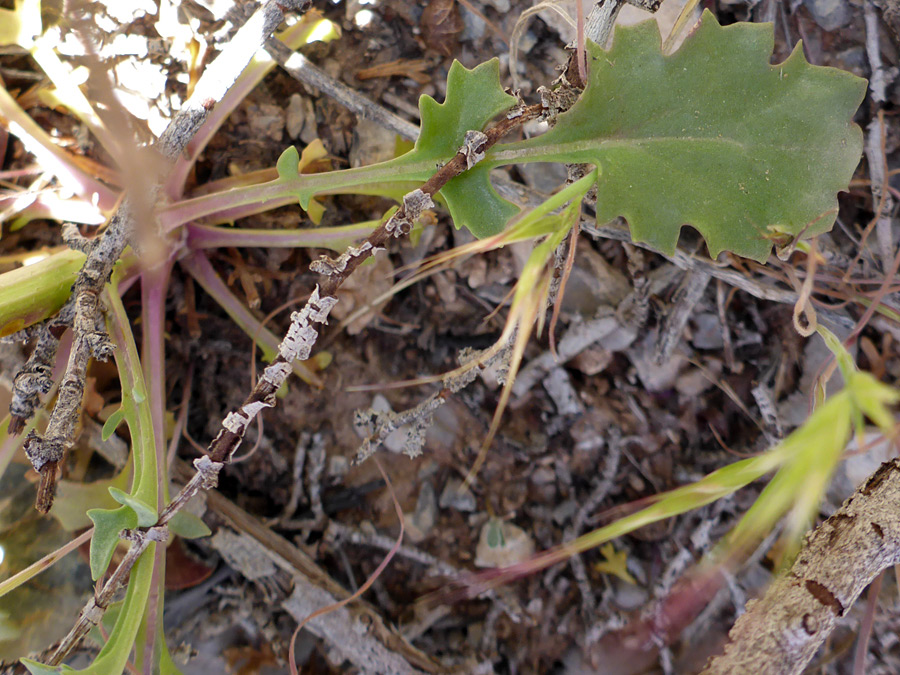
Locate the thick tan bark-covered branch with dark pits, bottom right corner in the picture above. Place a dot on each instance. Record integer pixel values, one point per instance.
(780, 632)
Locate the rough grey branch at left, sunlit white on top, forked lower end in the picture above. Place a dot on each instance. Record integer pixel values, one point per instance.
(82, 310)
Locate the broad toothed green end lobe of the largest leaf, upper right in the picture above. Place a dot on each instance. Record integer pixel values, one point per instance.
(712, 136)
